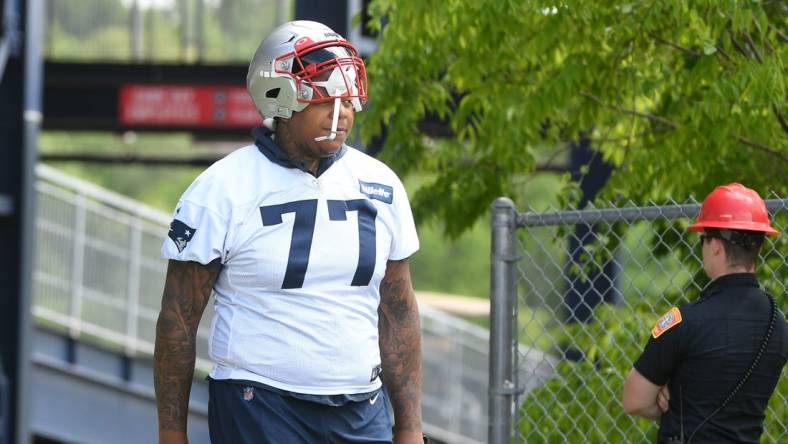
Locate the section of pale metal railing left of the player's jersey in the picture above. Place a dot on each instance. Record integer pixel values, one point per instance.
(98, 272)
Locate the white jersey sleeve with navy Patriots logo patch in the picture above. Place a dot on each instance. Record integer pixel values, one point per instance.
(197, 231)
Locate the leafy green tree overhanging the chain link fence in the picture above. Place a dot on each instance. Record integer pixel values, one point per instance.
(679, 96)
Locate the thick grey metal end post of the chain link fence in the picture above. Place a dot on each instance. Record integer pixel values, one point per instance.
(503, 295)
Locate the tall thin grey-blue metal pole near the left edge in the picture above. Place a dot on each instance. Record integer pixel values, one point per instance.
(34, 33)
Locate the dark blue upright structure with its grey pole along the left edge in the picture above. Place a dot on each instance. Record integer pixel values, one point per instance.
(20, 116)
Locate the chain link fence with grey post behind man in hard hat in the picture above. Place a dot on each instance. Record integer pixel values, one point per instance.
(584, 287)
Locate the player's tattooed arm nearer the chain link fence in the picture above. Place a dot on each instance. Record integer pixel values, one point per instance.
(400, 350)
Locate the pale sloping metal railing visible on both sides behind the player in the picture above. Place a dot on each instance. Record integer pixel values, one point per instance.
(99, 277)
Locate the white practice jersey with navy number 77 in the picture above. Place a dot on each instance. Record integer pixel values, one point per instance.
(303, 257)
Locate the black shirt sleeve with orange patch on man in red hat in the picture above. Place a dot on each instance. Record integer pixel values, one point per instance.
(662, 353)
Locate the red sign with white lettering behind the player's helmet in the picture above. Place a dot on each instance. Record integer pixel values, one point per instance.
(187, 106)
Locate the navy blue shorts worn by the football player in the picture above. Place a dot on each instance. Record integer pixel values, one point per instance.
(245, 414)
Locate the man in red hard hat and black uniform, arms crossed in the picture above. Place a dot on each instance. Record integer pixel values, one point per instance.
(710, 366)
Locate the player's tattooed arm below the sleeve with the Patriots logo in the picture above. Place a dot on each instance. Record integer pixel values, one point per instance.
(186, 291)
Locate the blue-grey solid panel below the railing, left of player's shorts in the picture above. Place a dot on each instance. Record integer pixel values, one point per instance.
(89, 394)
